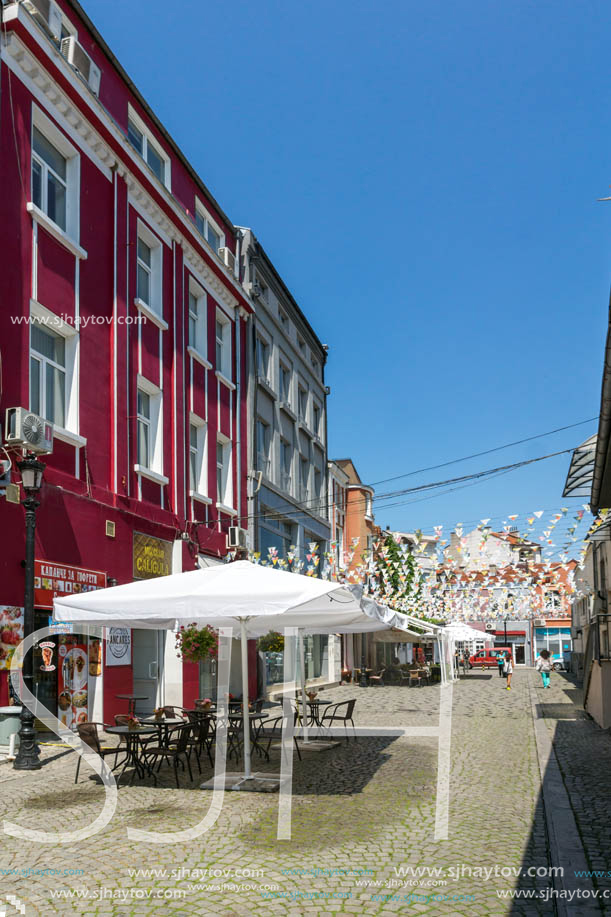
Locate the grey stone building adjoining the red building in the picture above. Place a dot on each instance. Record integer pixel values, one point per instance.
(288, 413)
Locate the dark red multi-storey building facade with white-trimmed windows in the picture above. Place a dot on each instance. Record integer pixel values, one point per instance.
(122, 321)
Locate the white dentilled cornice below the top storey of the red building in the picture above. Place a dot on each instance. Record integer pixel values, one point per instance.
(28, 68)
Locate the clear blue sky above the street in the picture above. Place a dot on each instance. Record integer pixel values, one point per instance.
(424, 176)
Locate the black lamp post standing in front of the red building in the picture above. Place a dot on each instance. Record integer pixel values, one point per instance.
(31, 477)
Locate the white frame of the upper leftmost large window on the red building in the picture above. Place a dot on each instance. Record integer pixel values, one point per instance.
(73, 178)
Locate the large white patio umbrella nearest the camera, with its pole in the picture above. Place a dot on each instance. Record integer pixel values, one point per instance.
(252, 598)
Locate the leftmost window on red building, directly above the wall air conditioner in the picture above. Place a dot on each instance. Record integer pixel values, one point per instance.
(48, 375)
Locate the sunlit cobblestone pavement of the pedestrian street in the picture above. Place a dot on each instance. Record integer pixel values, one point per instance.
(361, 813)
